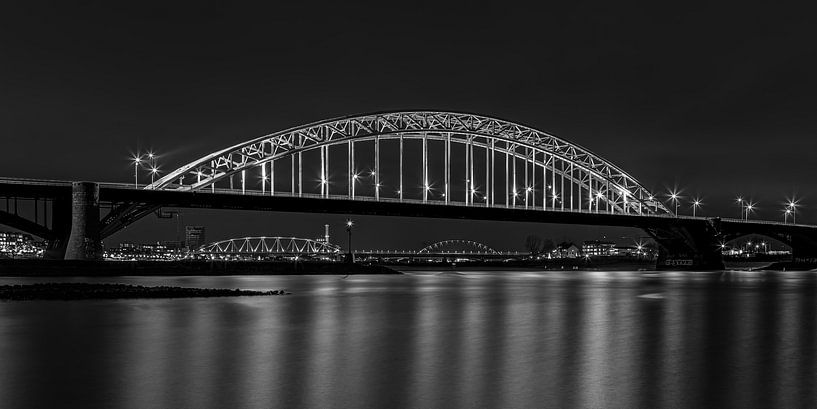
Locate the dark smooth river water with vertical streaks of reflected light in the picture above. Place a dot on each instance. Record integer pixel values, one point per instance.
(469, 340)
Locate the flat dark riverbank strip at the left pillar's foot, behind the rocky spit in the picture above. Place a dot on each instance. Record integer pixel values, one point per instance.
(105, 268)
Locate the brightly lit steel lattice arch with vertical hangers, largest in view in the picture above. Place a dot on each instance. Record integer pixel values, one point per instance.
(563, 169)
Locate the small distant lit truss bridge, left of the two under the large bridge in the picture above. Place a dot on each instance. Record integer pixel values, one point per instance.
(261, 246)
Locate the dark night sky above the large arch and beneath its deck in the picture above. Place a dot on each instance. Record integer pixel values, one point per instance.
(718, 100)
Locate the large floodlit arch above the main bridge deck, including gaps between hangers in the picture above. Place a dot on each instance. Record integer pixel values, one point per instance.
(409, 157)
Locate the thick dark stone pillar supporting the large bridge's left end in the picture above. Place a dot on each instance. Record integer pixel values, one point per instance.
(84, 242)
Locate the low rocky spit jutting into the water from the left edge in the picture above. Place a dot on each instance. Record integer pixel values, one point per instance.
(87, 291)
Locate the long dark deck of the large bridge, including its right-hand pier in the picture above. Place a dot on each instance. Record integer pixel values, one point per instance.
(685, 240)
